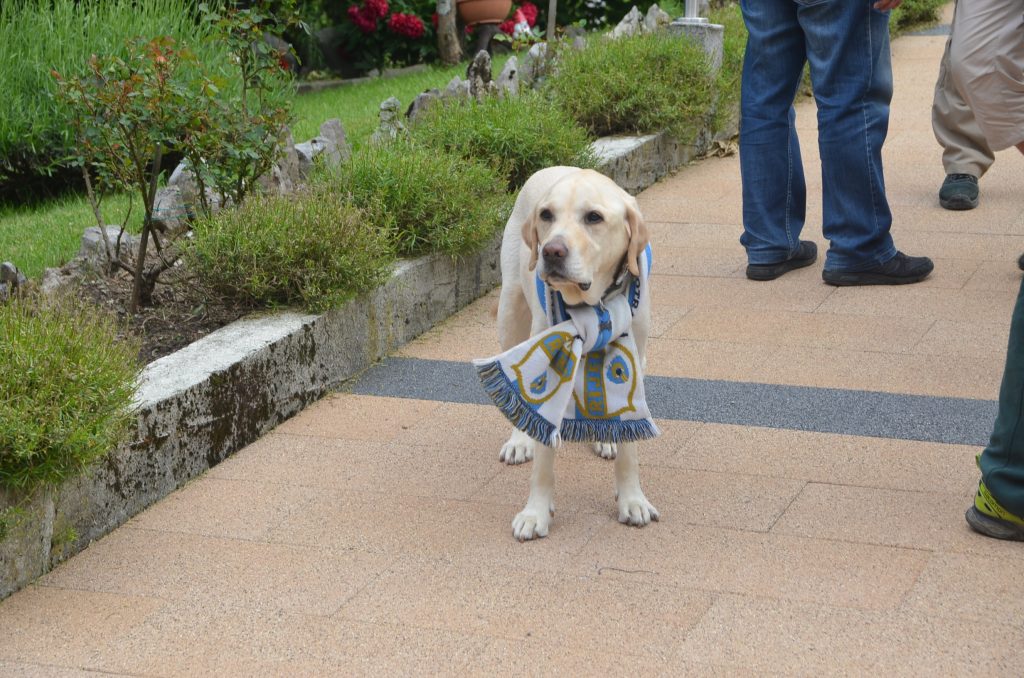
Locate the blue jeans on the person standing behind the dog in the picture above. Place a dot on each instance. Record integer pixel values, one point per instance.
(846, 44)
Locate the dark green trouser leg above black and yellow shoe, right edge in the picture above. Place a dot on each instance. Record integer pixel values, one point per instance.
(1003, 461)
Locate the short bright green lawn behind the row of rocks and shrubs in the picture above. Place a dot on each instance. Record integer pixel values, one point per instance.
(49, 235)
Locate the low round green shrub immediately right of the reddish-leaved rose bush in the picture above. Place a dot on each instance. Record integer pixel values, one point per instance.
(315, 249)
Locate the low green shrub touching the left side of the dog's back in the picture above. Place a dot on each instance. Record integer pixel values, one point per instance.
(429, 200)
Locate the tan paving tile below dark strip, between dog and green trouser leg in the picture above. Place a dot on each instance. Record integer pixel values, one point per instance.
(828, 458)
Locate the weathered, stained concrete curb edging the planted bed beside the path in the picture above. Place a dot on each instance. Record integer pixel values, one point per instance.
(202, 404)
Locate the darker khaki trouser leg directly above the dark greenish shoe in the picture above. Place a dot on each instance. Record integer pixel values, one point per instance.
(965, 150)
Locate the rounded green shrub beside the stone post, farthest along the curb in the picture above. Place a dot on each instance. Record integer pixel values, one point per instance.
(642, 84)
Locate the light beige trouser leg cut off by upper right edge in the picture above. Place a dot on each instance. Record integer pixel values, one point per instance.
(987, 63)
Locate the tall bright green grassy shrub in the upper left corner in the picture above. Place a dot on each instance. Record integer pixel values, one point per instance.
(37, 36)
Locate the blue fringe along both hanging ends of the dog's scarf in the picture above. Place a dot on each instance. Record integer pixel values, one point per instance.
(506, 397)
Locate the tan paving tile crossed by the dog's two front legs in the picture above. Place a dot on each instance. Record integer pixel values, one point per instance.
(745, 502)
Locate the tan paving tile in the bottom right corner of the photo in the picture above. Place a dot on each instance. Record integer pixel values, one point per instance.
(803, 640)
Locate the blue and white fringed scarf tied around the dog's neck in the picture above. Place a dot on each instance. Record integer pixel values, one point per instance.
(581, 379)
